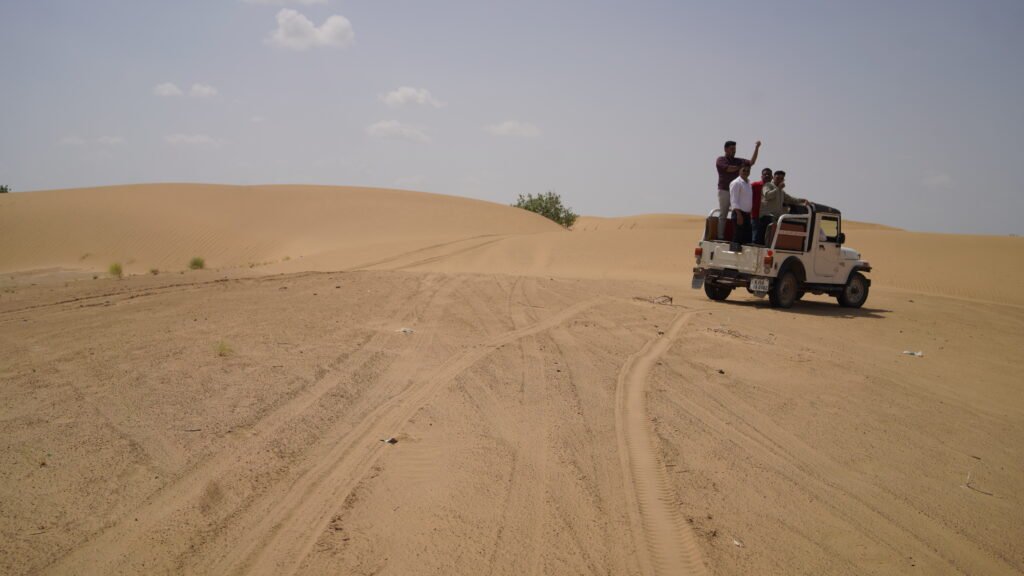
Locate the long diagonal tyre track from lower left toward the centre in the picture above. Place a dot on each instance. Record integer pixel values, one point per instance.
(288, 533)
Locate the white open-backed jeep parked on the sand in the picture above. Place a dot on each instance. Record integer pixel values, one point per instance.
(802, 254)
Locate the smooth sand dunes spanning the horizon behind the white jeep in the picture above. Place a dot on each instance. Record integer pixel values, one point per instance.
(293, 229)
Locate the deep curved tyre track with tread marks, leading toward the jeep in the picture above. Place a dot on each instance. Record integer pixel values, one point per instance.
(665, 544)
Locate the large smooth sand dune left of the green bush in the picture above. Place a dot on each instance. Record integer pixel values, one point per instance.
(163, 226)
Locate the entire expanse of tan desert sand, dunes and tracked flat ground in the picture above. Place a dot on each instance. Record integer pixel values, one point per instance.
(551, 413)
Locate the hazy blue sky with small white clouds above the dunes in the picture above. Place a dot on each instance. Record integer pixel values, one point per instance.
(906, 113)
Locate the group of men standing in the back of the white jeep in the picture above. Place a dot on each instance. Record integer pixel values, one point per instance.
(754, 205)
